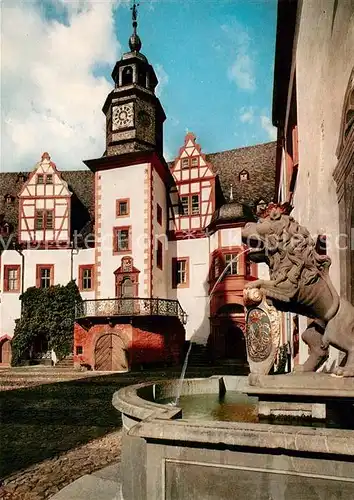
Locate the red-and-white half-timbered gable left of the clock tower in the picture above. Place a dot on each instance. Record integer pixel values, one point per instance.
(44, 206)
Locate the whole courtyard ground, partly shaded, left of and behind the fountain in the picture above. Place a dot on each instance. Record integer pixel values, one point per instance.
(59, 425)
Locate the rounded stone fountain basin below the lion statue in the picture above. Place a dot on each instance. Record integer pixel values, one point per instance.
(165, 456)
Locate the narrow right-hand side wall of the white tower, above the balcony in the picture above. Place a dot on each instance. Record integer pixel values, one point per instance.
(160, 277)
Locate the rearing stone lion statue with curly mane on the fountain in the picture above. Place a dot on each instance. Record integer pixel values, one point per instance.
(299, 283)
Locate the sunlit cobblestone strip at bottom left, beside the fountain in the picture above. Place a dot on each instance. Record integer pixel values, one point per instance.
(41, 481)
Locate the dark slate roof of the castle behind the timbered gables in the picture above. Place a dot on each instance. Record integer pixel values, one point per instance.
(258, 161)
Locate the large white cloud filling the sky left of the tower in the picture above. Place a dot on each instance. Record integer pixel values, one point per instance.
(51, 98)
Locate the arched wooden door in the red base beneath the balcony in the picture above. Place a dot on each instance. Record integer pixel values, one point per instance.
(110, 353)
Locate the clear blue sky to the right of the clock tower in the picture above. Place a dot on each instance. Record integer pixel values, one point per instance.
(197, 43)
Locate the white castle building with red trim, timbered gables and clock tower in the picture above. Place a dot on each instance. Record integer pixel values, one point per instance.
(155, 248)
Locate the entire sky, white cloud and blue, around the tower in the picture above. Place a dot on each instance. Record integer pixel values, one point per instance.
(214, 60)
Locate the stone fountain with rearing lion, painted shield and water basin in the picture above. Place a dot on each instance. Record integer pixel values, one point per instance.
(168, 455)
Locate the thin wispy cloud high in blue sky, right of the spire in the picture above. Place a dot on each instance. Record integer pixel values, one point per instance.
(242, 71)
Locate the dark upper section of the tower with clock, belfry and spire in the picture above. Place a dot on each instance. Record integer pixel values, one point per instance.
(134, 115)
